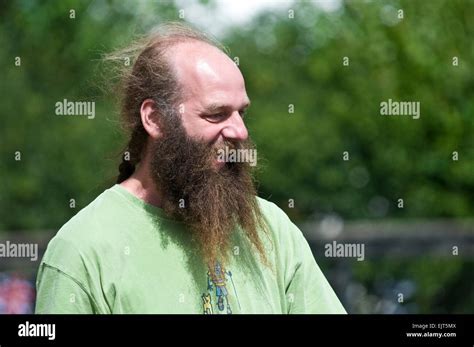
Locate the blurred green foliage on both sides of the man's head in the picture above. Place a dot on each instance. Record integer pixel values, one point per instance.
(285, 61)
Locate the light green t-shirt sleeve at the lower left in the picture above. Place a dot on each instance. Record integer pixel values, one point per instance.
(58, 292)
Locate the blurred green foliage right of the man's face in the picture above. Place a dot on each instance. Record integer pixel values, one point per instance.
(337, 107)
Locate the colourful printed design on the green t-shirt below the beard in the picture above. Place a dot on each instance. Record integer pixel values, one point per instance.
(217, 296)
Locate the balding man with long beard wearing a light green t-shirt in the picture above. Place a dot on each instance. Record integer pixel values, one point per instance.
(182, 231)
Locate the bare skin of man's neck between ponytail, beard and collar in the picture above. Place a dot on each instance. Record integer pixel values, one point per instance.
(142, 186)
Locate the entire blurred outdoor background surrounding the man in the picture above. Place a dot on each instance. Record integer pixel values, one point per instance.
(316, 72)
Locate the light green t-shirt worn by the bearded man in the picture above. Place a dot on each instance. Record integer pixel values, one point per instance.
(122, 255)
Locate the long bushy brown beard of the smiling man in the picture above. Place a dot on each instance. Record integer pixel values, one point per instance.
(211, 201)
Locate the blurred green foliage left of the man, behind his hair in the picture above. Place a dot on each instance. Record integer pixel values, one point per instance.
(62, 157)
